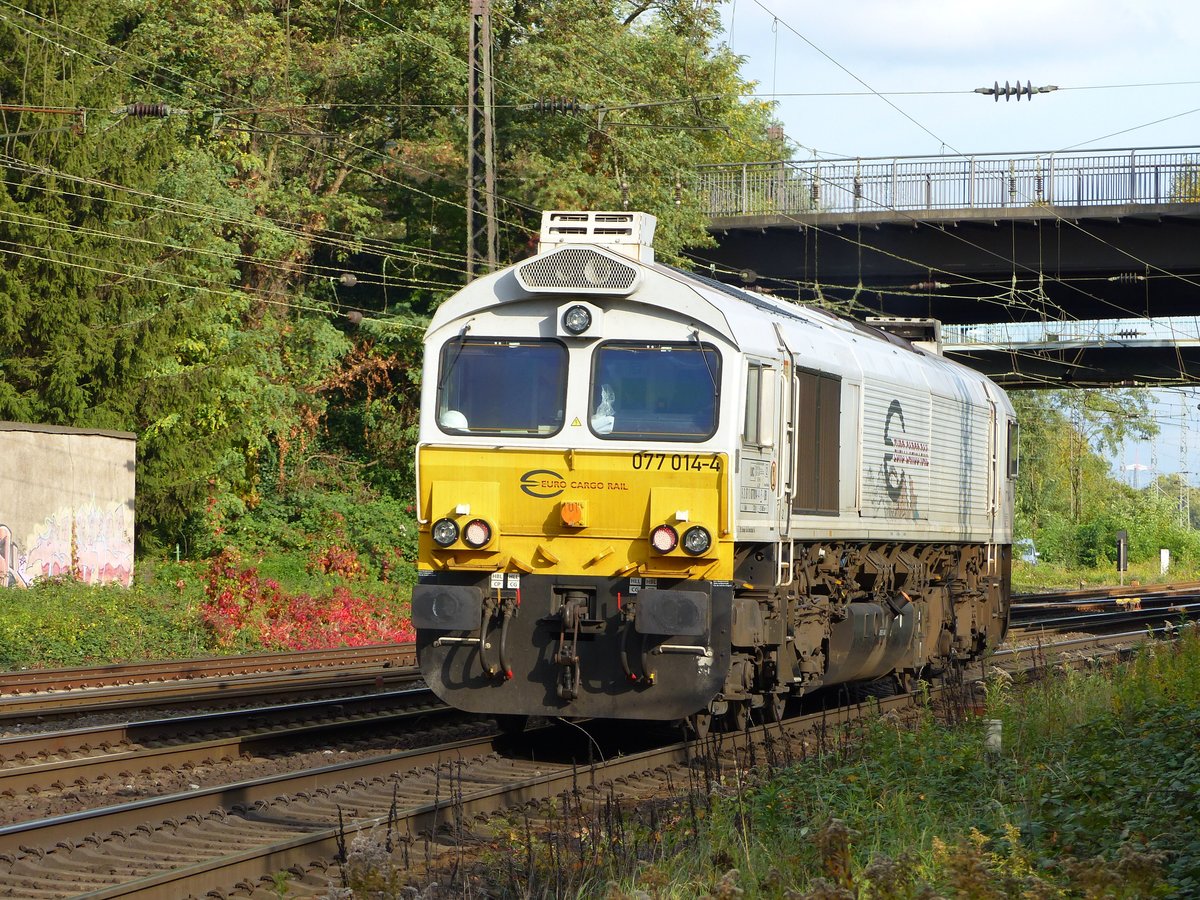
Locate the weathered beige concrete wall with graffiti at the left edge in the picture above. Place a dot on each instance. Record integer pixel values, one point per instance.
(67, 505)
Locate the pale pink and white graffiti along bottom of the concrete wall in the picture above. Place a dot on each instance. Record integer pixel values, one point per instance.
(91, 544)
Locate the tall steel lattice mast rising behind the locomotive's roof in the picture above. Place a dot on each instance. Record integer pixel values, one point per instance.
(481, 145)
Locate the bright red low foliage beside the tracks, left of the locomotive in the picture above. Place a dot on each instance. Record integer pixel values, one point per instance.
(243, 608)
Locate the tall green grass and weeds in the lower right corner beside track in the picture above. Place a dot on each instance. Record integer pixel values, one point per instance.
(1094, 793)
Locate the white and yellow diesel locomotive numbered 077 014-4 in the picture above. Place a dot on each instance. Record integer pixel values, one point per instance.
(647, 495)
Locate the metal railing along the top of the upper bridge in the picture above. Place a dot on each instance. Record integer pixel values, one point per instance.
(1099, 178)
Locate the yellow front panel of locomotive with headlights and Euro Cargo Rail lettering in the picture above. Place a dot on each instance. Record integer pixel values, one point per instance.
(575, 513)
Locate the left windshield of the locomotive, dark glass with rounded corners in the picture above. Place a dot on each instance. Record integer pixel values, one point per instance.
(490, 387)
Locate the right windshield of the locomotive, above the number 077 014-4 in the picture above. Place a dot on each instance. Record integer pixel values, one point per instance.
(659, 392)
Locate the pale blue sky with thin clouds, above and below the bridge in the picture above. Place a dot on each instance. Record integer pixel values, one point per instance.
(1129, 76)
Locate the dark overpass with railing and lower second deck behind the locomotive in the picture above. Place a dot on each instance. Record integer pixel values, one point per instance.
(1059, 241)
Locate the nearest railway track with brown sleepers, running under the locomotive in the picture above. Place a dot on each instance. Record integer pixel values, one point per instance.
(241, 837)
